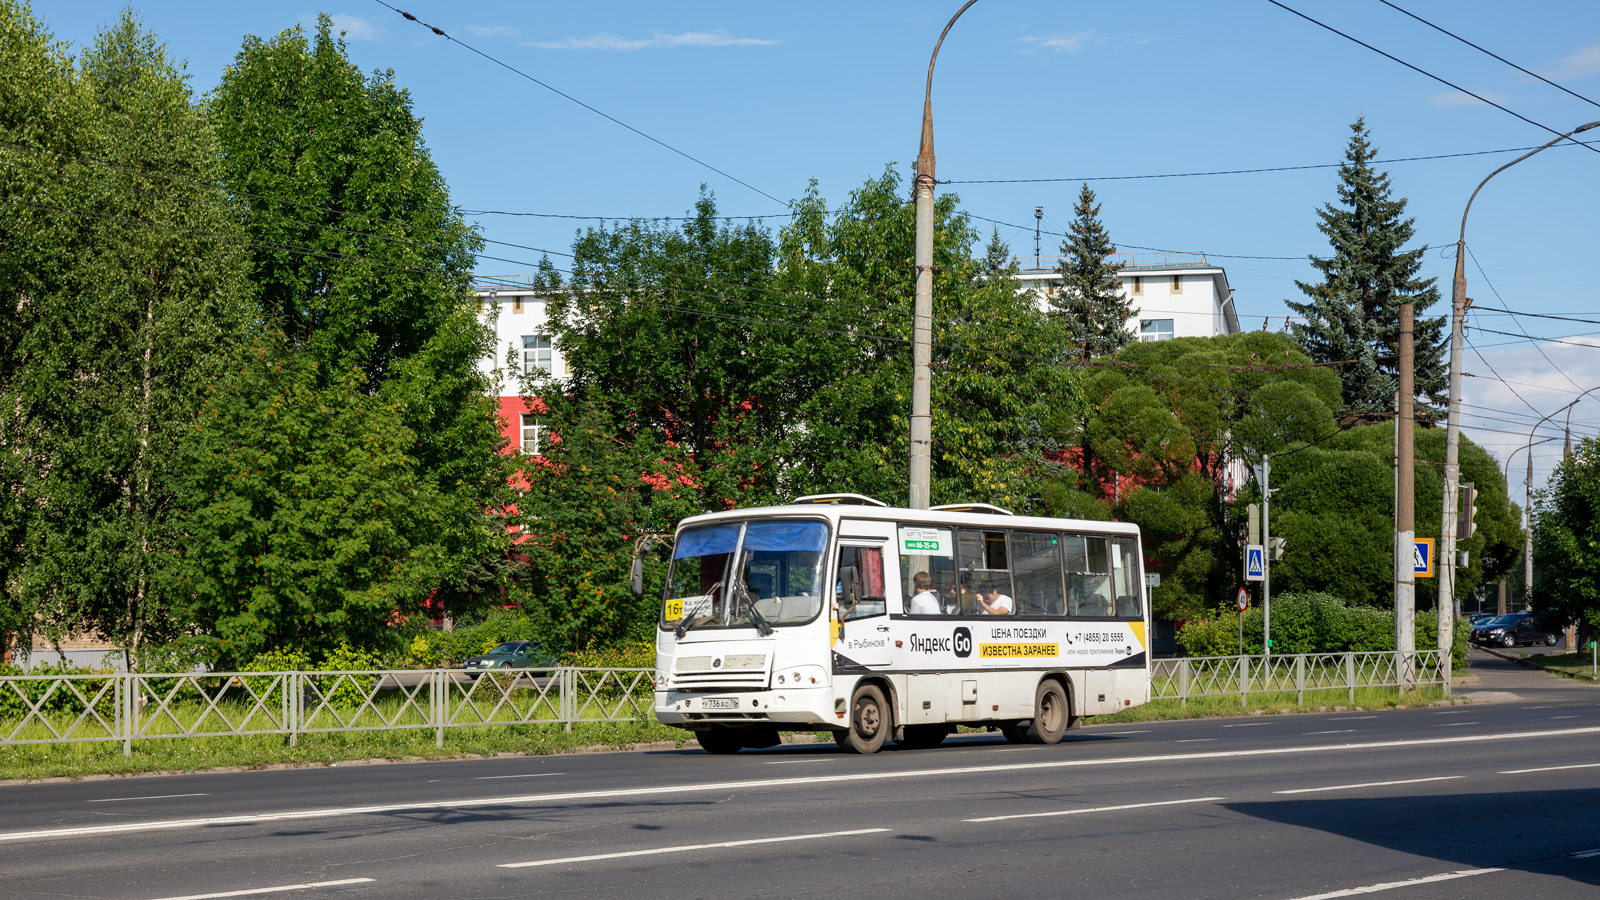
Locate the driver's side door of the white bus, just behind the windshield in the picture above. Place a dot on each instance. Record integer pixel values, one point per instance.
(860, 617)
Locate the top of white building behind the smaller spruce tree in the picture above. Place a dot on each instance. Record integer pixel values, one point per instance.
(1175, 295)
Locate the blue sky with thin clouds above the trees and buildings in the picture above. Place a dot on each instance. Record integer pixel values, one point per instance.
(778, 95)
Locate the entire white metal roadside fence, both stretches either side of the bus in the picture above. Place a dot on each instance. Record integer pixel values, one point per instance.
(122, 707)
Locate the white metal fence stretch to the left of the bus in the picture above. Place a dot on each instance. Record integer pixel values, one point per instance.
(121, 707)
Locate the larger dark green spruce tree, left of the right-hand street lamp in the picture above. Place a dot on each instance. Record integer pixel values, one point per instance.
(1353, 316)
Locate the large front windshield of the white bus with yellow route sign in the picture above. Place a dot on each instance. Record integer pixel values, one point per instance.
(740, 574)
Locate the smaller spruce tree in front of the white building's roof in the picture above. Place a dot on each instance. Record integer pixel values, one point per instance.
(1090, 300)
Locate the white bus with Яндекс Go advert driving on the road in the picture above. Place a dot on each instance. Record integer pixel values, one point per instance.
(839, 613)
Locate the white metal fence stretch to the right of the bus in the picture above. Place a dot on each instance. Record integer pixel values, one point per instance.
(1295, 673)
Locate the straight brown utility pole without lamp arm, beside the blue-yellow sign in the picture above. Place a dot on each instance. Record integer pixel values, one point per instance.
(1406, 507)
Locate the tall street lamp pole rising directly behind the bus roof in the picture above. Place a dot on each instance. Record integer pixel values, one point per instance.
(922, 310)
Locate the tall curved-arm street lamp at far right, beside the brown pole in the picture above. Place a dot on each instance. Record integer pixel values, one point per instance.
(1458, 313)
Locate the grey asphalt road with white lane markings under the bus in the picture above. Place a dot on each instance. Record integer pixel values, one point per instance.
(1490, 800)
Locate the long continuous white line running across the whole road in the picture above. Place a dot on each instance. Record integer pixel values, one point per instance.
(798, 782)
